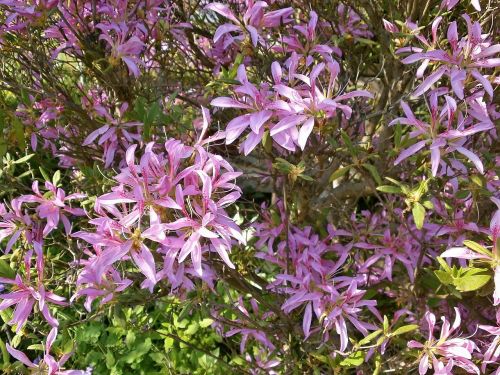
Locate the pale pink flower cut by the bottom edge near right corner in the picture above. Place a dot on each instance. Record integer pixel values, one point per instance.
(444, 353)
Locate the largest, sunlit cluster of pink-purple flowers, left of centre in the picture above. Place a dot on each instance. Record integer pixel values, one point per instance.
(161, 208)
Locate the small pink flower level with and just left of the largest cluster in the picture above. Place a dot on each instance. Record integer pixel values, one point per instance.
(52, 206)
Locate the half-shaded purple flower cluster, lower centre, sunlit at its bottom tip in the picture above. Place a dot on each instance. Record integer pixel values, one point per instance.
(334, 300)
